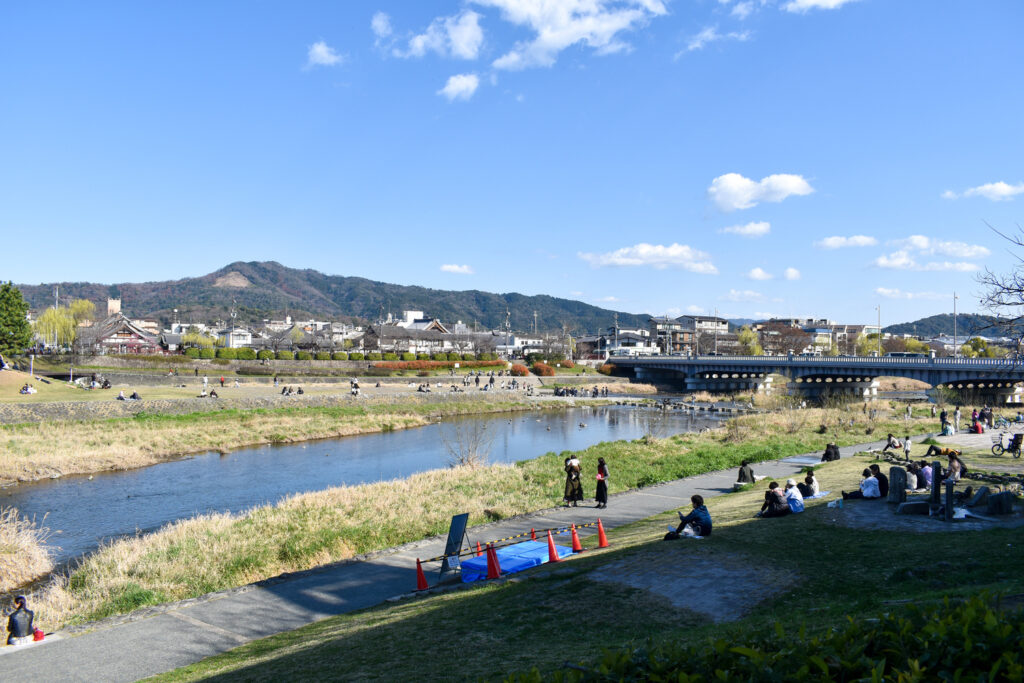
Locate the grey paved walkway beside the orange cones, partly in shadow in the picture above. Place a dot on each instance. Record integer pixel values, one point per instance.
(149, 644)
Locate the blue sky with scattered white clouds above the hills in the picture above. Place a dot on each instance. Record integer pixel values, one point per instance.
(755, 157)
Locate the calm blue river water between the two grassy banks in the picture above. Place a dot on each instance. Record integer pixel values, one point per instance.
(81, 513)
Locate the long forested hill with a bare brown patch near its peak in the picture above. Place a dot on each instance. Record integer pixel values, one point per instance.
(265, 289)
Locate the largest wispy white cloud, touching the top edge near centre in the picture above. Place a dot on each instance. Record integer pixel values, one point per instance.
(559, 25)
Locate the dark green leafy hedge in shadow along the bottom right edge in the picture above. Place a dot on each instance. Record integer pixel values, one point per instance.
(966, 642)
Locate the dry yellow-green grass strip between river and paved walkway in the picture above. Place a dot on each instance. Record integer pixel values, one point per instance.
(204, 554)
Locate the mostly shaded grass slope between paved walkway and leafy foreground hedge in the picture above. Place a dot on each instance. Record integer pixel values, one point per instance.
(751, 578)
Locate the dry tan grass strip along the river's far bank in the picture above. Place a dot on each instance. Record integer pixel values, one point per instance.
(40, 451)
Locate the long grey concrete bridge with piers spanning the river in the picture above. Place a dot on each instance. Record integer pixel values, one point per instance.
(992, 379)
